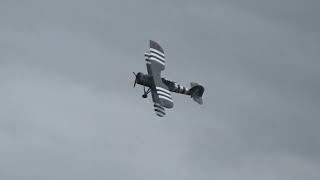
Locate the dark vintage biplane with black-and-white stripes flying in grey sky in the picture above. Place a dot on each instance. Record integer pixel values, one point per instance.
(160, 87)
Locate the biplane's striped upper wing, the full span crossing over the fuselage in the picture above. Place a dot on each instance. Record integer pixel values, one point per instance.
(155, 64)
